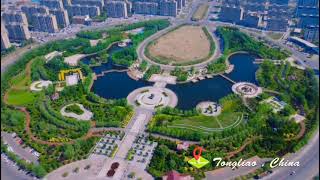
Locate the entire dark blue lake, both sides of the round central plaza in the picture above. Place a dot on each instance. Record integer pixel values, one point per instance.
(119, 85)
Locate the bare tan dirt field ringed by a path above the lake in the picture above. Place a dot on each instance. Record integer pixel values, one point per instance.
(183, 45)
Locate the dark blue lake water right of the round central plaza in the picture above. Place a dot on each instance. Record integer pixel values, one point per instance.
(190, 94)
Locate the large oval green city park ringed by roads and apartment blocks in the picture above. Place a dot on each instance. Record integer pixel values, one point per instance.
(49, 101)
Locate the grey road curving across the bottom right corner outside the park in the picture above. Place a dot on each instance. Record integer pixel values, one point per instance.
(308, 158)
